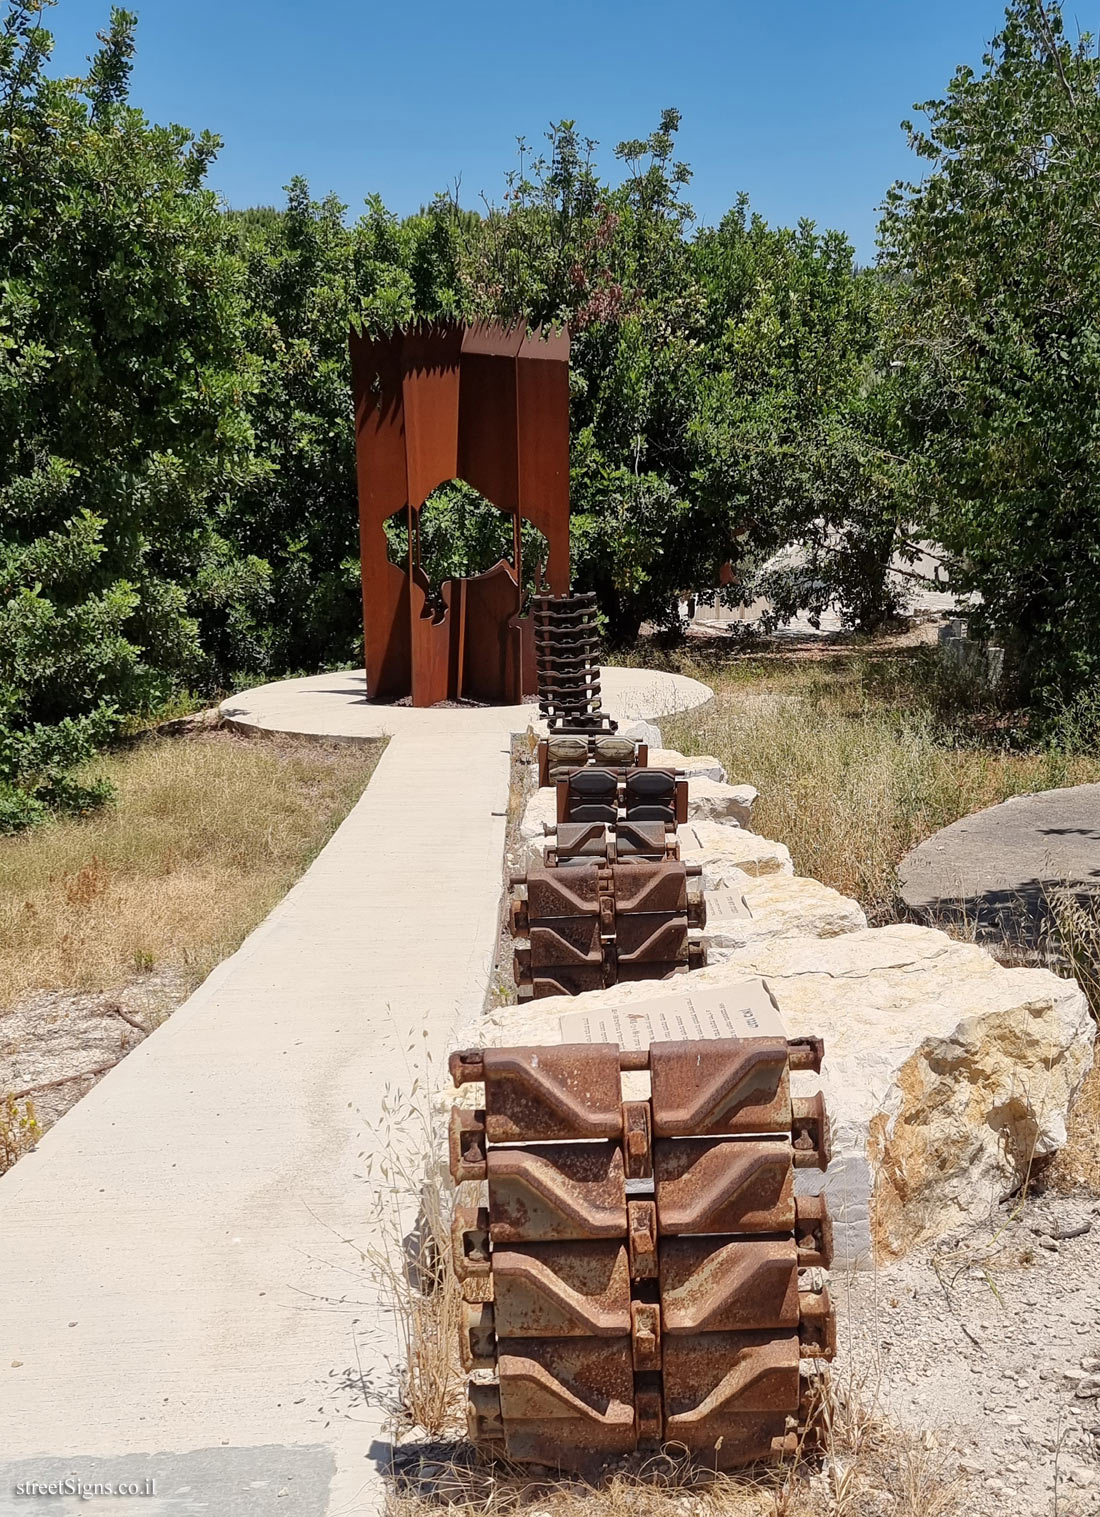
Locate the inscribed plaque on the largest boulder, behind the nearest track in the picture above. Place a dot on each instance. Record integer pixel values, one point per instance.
(731, 1011)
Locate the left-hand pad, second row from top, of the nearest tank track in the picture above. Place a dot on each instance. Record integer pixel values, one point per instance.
(558, 1193)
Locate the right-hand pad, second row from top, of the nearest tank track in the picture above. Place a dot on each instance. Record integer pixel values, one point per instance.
(729, 1186)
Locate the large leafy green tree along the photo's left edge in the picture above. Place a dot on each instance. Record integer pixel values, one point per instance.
(122, 410)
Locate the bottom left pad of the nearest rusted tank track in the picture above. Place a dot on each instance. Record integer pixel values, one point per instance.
(565, 1399)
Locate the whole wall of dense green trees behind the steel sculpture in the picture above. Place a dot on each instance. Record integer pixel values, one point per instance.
(178, 489)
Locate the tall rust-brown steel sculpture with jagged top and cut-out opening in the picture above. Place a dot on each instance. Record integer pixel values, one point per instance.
(483, 404)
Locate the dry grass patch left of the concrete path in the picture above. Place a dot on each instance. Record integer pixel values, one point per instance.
(207, 835)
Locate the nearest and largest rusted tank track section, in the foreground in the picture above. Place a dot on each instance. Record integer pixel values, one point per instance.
(644, 1272)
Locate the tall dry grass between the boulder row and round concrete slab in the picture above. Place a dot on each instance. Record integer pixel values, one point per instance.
(852, 764)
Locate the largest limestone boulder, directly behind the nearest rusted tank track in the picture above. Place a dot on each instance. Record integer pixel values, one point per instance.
(948, 1076)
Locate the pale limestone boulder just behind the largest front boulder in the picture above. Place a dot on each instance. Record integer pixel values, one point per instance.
(776, 906)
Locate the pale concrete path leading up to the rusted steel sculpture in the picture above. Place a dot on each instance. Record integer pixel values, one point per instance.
(183, 1298)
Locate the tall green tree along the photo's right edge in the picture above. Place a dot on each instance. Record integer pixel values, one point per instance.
(999, 254)
